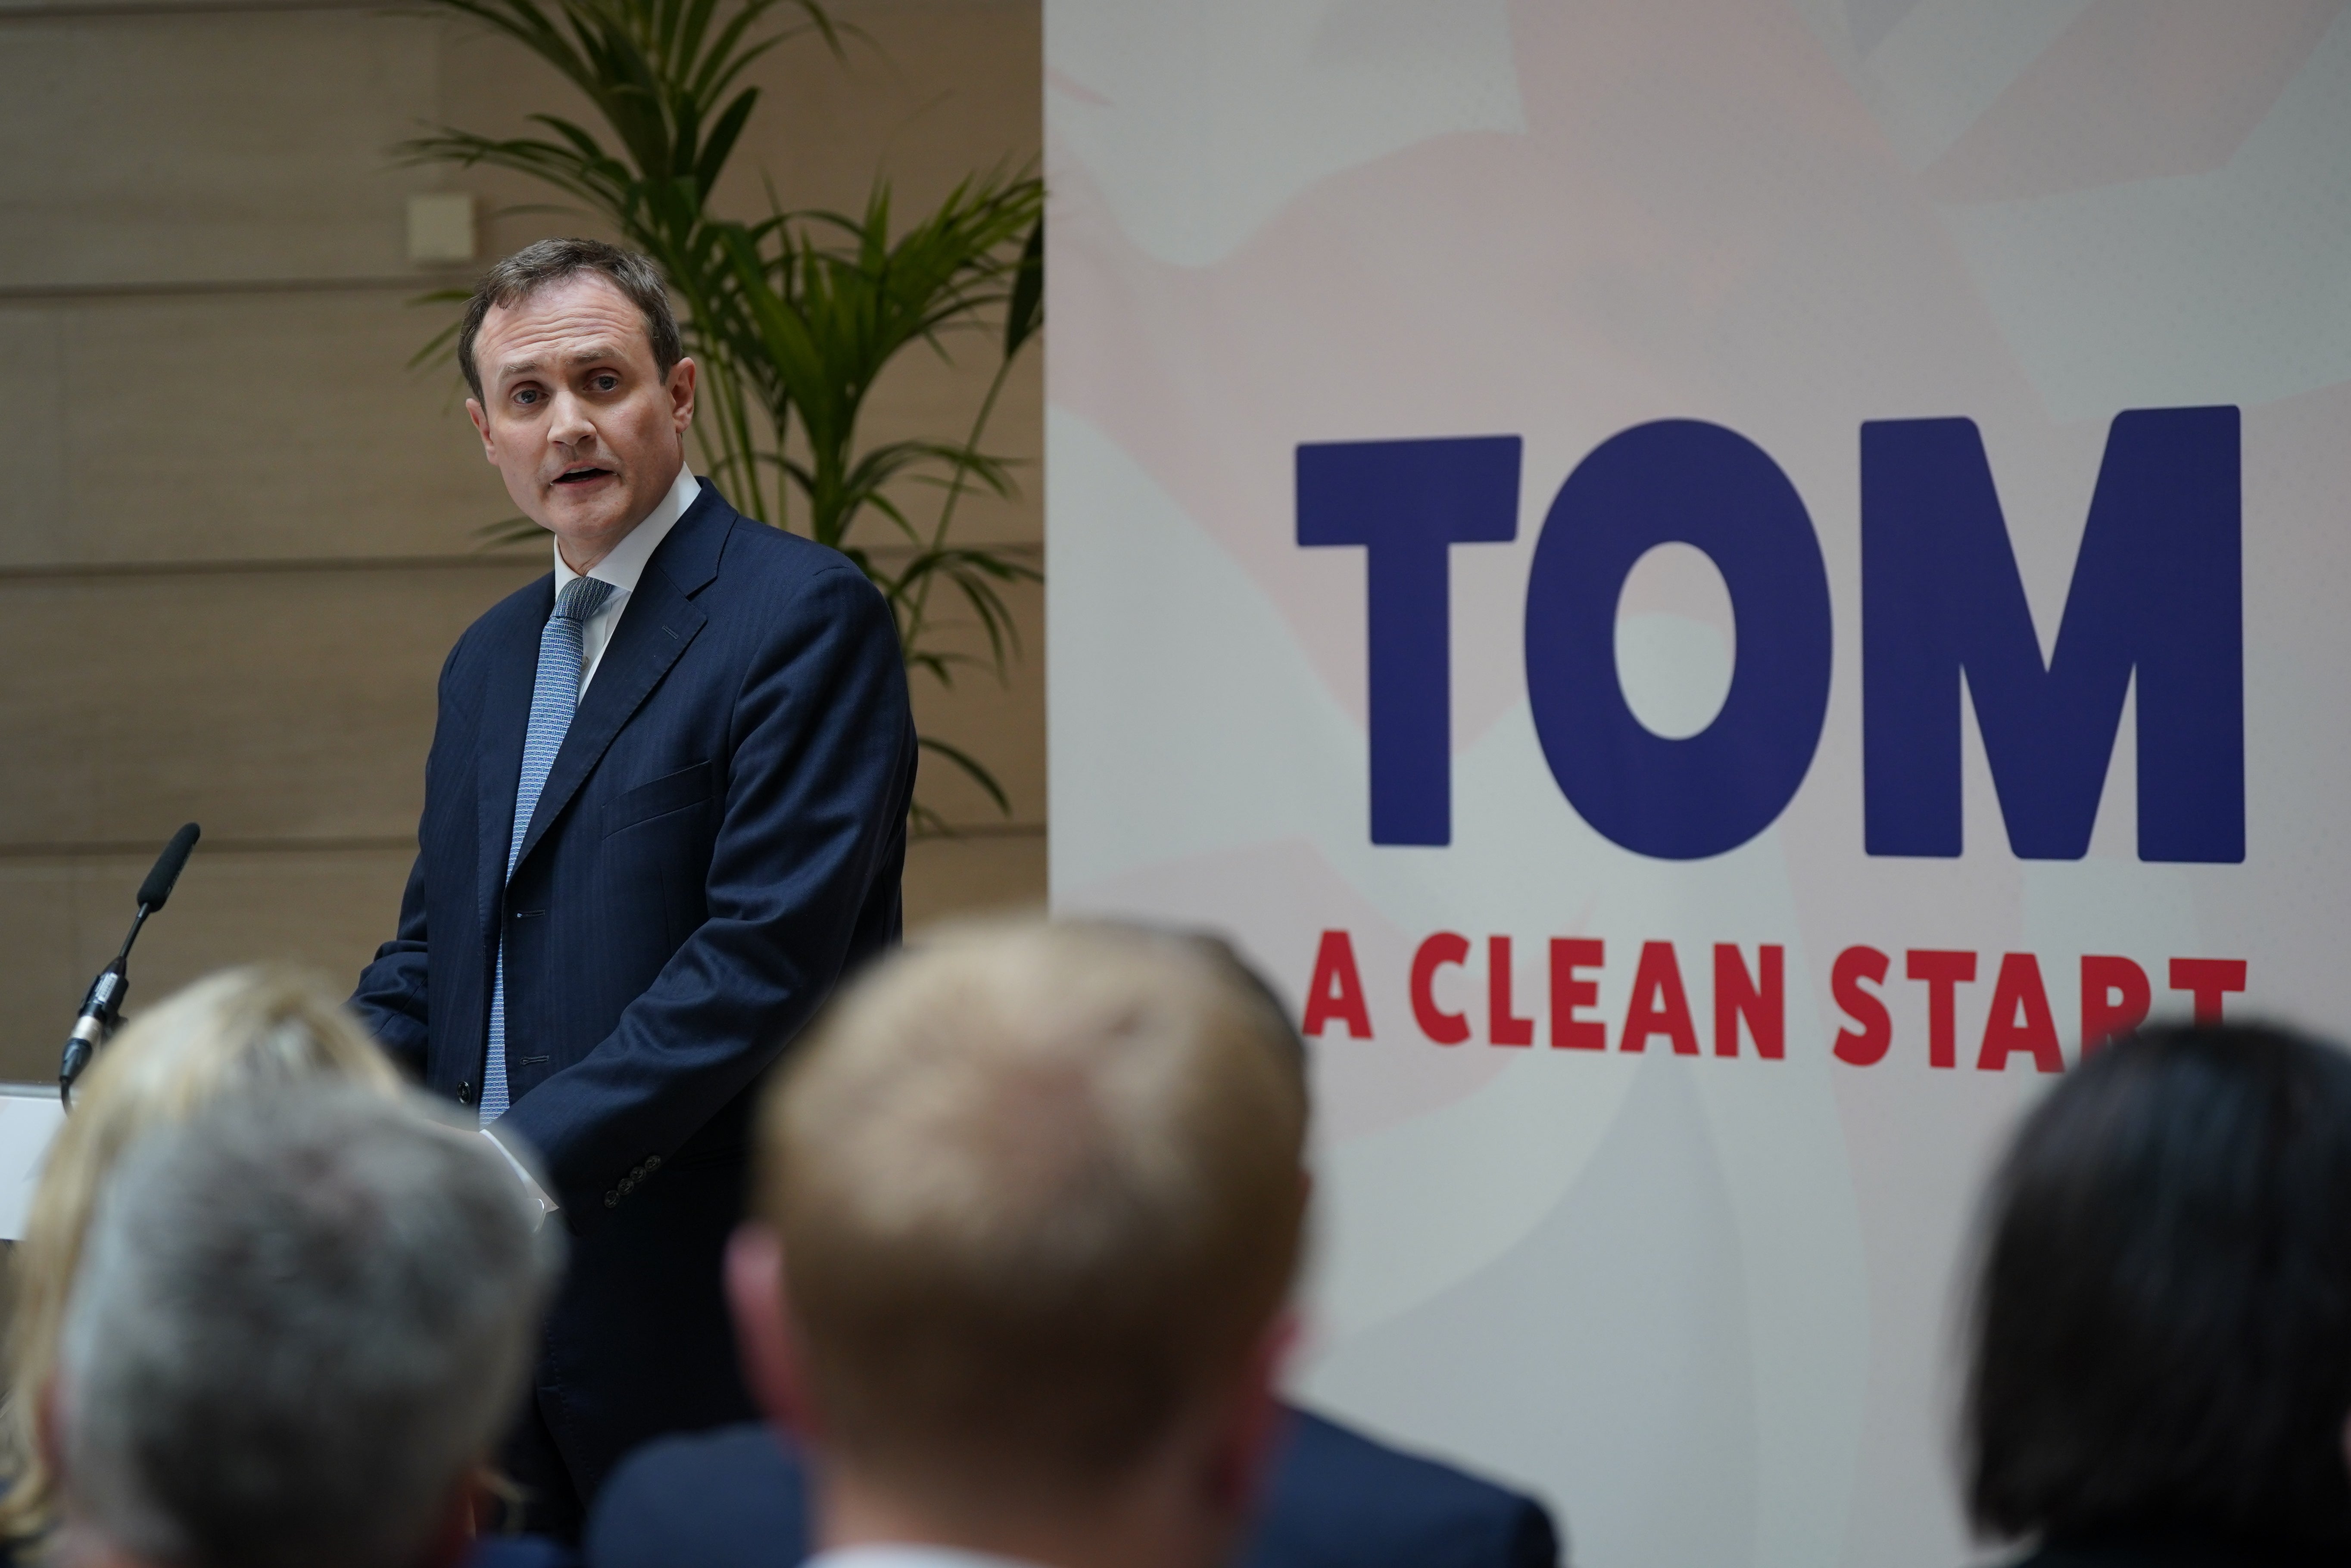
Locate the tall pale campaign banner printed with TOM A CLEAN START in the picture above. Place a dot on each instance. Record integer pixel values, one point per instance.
(1710, 587)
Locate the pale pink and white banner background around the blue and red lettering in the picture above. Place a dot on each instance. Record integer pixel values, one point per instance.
(1703, 1306)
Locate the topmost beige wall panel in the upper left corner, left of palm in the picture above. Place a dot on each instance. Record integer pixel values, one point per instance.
(225, 147)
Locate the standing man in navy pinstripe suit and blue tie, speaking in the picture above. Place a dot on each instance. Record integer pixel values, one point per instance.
(664, 815)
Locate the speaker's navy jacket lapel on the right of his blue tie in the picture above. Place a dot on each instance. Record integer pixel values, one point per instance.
(655, 631)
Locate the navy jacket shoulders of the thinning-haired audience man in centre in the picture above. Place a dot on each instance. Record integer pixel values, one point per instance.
(1337, 1501)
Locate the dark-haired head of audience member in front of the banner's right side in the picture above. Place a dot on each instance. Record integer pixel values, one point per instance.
(2162, 1322)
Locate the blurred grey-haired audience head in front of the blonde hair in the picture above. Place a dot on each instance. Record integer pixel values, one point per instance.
(300, 1325)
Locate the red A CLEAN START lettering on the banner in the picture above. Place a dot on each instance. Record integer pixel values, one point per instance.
(1560, 1007)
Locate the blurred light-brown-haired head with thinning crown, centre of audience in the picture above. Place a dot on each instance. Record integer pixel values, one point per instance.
(1029, 1214)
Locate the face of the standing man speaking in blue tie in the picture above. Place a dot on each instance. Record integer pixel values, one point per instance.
(575, 415)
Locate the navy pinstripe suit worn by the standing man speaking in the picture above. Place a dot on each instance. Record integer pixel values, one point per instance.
(718, 843)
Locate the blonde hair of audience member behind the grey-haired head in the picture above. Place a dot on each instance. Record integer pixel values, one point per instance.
(241, 1028)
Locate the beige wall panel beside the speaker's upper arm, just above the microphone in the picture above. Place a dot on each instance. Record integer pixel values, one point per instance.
(267, 706)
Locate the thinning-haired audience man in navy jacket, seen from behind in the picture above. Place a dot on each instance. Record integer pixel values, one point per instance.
(951, 1052)
